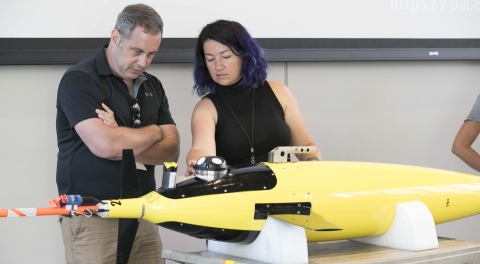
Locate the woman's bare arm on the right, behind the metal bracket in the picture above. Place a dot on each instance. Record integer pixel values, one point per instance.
(294, 119)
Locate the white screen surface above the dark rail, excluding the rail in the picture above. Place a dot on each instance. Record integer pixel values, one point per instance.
(425, 19)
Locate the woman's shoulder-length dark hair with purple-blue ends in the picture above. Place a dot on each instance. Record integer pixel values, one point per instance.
(233, 35)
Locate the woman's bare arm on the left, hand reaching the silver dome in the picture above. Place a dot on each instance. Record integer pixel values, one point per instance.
(203, 122)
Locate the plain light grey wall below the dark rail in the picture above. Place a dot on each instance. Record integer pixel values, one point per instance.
(397, 112)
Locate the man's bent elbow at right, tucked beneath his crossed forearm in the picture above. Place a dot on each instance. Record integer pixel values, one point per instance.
(166, 150)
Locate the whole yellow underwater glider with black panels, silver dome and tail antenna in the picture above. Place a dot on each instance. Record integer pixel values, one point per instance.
(332, 200)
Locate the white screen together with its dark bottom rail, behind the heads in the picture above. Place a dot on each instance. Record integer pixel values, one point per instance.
(67, 31)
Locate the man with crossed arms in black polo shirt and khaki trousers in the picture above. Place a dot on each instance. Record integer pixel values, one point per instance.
(105, 104)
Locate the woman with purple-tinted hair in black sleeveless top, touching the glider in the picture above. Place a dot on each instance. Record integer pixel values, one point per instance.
(241, 116)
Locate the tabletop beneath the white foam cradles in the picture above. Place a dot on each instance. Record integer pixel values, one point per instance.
(347, 251)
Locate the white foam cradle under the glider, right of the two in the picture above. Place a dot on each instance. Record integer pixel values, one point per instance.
(412, 229)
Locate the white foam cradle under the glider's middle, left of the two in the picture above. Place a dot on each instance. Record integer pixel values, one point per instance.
(278, 242)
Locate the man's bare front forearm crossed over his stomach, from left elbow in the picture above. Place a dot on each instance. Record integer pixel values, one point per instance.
(108, 142)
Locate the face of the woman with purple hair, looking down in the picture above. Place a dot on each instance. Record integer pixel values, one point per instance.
(223, 65)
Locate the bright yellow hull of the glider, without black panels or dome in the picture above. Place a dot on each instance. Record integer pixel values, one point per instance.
(348, 199)
